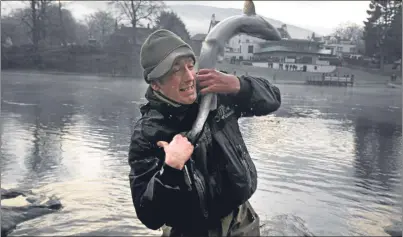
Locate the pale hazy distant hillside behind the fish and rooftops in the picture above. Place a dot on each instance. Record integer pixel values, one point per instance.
(197, 21)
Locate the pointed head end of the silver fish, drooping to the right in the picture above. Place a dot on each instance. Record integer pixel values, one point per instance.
(258, 27)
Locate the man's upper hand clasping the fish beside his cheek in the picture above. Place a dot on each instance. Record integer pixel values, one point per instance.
(213, 81)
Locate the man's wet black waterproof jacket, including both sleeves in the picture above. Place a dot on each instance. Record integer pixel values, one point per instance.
(222, 175)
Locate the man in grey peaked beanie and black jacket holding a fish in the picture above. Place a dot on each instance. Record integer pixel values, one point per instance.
(199, 189)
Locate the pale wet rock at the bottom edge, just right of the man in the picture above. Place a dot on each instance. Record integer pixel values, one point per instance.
(285, 225)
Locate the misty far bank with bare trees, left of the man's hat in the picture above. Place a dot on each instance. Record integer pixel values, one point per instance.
(45, 35)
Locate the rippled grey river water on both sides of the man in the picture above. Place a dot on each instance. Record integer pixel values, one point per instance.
(330, 156)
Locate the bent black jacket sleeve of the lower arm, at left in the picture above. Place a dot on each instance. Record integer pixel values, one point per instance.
(154, 185)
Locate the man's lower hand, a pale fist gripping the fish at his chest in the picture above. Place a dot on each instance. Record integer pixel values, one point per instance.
(177, 152)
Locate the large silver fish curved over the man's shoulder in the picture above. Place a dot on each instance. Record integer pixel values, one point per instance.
(213, 46)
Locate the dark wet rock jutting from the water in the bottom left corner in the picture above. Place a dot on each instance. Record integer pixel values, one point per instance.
(19, 206)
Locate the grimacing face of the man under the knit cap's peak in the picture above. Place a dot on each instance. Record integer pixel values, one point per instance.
(180, 84)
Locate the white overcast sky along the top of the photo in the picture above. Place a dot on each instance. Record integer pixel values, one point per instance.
(319, 16)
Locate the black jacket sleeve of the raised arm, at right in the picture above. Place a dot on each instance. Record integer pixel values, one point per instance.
(256, 97)
